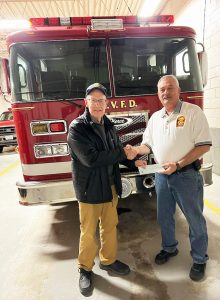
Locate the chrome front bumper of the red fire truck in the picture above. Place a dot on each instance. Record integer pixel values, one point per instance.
(48, 192)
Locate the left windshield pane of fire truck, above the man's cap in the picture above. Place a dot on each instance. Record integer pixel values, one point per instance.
(55, 70)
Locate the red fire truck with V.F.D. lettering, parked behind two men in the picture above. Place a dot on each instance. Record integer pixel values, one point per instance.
(53, 62)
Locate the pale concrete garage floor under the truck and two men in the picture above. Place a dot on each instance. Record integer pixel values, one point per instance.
(39, 247)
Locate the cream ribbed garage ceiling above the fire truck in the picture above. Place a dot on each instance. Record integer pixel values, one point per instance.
(19, 9)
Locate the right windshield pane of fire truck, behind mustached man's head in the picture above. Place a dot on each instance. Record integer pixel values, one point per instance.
(138, 64)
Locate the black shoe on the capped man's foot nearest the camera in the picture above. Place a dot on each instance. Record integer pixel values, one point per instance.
(85, 282)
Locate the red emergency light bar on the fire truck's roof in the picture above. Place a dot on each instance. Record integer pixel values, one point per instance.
(102, 23)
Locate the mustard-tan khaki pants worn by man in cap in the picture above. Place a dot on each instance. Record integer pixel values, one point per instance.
(90, 215)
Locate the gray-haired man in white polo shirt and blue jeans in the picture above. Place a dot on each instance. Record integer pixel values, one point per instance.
(178, 135)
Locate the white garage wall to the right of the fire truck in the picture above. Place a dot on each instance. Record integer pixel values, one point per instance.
(203, 16)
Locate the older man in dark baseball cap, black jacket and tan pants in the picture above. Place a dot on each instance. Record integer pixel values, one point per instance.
(96, 152)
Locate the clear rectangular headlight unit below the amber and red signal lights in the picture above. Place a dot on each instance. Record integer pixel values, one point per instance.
(51, 150)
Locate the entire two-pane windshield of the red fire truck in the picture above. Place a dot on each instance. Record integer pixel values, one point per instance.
(63, 69)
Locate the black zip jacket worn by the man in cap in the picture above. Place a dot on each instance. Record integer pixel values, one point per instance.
(91, 158)
